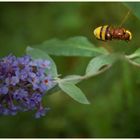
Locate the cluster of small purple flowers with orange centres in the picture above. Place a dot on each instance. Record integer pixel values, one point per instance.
(23, 83)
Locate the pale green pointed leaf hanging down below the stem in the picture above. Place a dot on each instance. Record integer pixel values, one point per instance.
(74, 92)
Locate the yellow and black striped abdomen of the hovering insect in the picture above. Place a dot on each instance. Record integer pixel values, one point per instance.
(100, 32)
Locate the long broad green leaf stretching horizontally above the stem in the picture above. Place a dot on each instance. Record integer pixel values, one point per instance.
(75, 46)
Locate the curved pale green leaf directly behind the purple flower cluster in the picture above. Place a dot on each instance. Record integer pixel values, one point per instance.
(39, 54)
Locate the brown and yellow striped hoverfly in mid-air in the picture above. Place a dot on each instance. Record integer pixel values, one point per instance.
(107, 32)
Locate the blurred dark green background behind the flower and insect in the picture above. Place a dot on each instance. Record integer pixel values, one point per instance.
(114, 95)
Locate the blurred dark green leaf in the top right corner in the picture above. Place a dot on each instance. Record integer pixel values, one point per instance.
(135, 7)
